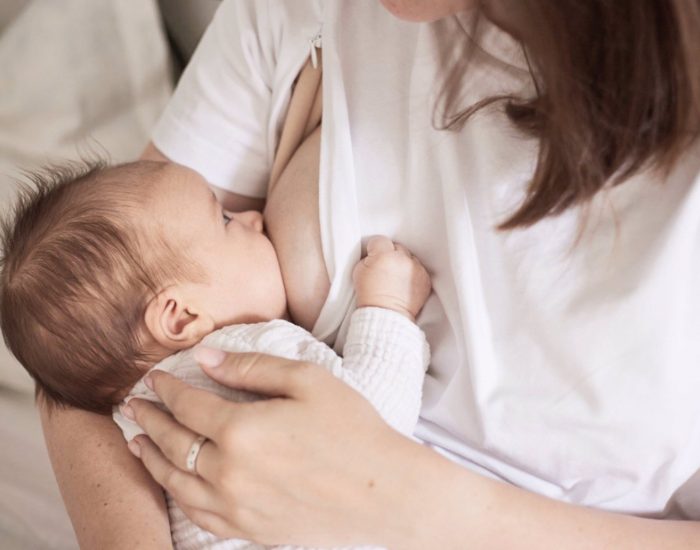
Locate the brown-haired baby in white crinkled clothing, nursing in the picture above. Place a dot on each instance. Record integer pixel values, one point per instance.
(109, 272)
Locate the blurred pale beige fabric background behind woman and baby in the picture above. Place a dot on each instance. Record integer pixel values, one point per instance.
(76, 77)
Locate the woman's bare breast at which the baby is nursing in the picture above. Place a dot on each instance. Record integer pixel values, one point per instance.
(291, 217)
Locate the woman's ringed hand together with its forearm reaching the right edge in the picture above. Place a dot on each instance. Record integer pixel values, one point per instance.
(315, 465)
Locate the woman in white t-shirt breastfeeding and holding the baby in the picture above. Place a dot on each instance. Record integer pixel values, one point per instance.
(560, 225)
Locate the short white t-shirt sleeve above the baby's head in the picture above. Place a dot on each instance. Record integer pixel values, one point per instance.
(216, 120)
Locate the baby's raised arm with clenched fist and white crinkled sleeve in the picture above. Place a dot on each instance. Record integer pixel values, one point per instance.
(385, 353)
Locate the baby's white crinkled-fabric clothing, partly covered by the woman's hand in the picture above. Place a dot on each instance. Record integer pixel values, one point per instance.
(385, 358)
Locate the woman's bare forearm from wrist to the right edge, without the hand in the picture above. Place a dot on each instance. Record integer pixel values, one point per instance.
(456, 508)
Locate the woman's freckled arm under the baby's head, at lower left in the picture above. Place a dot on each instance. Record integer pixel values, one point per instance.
(111, 499)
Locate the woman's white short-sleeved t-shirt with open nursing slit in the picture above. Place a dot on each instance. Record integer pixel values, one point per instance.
(569, 368)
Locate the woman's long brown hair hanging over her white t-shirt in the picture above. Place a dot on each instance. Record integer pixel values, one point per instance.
(618, 91)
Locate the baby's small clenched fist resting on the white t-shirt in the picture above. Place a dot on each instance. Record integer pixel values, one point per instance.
(390, 277)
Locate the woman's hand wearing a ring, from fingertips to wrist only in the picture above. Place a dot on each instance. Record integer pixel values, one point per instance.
(313, 465)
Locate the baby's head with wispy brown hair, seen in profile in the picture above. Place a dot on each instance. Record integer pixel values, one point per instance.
(107, 270)
